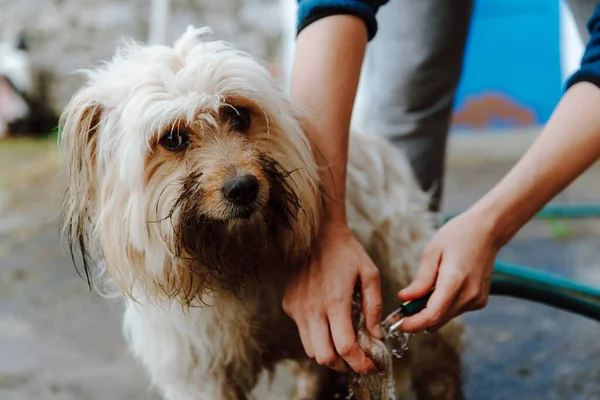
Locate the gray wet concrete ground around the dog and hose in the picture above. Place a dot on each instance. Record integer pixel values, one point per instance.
(58, 341)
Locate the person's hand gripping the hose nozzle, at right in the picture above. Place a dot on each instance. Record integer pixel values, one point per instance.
(458, 263)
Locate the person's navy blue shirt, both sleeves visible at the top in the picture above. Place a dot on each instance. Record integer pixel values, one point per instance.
(310, 11)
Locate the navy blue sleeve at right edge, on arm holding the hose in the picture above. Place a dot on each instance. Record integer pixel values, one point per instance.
(590, 63)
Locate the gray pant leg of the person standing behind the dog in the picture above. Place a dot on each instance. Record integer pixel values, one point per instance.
(413, 68)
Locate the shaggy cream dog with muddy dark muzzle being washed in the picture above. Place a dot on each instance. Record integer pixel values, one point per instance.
(194, 192)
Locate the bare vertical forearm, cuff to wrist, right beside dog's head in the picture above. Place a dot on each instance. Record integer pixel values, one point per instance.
(326, 71)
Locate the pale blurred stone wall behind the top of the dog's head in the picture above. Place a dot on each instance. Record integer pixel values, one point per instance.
(65, 35)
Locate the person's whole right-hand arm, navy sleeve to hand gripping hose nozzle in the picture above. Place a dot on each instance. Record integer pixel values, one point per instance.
(459, 260)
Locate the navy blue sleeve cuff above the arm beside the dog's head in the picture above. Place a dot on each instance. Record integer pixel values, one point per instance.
(310, 11)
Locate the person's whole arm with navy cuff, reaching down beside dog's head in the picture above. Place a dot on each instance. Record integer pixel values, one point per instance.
(328, 59)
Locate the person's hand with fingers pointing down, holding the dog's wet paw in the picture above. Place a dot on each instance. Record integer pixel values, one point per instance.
(319, 300)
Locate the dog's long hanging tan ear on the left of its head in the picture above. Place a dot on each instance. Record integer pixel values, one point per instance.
(78, 128)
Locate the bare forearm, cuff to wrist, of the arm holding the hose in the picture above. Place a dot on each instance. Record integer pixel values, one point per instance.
(567, 146)
